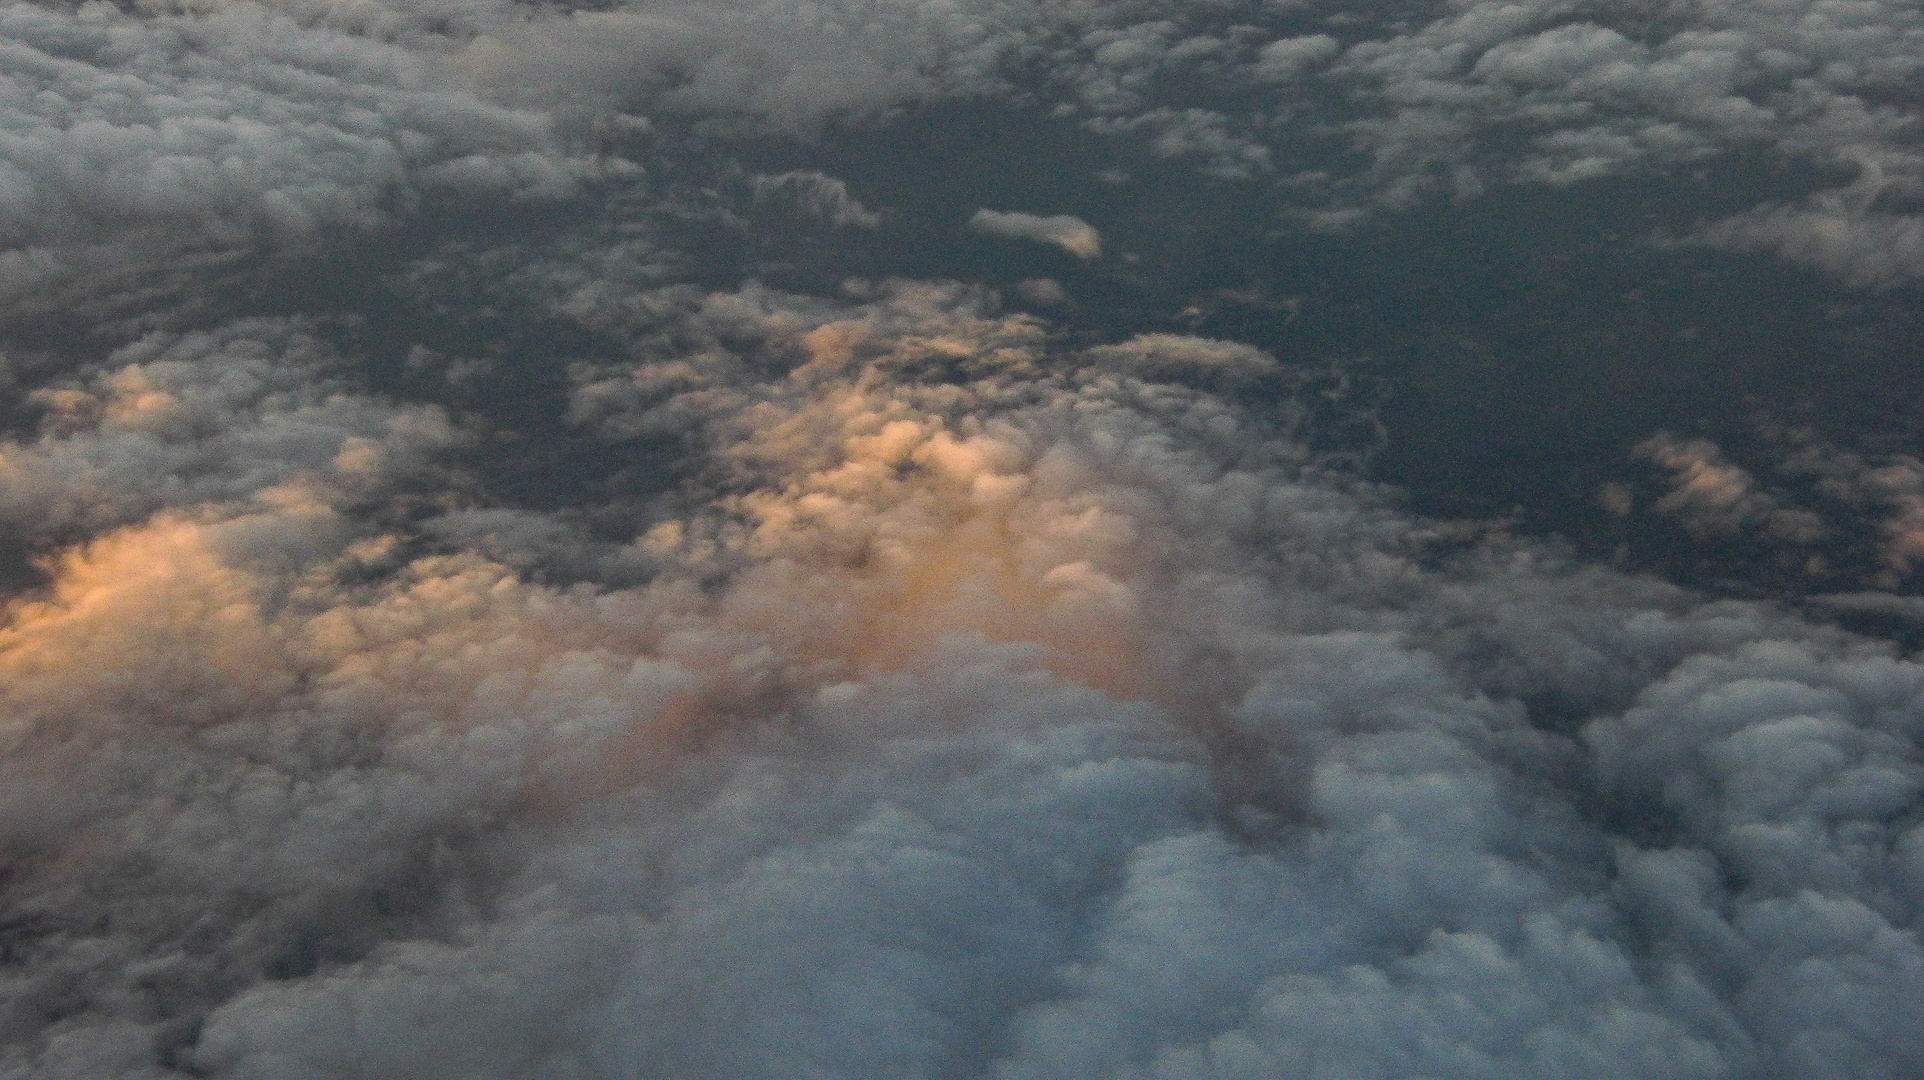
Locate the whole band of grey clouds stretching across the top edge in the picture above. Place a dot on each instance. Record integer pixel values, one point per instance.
(370, 111)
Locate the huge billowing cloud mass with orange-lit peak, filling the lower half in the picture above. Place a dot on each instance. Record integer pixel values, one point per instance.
(988, 713)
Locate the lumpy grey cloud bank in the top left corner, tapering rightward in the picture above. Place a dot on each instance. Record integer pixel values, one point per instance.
(136, 138)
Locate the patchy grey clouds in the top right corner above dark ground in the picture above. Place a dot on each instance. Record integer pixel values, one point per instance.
(1571, 101)
